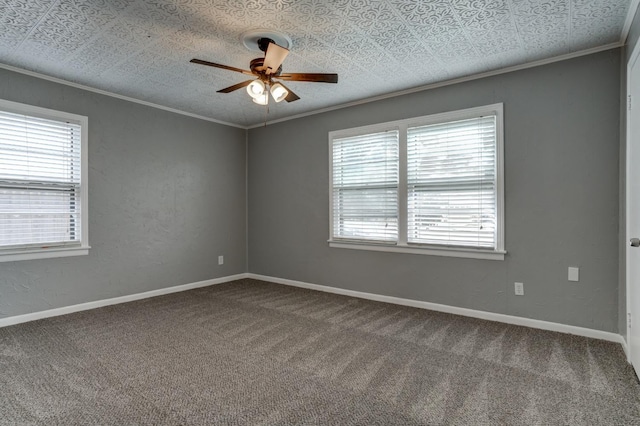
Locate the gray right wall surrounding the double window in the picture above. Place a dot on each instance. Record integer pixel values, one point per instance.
(561, 174)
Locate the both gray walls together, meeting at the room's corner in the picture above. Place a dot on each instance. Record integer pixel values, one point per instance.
(167, 196)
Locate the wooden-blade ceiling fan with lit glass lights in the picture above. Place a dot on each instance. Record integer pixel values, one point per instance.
(268, 71)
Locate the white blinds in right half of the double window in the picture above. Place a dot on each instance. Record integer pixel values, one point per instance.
(452, 187)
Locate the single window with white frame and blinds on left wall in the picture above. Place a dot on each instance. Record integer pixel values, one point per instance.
(43, 183)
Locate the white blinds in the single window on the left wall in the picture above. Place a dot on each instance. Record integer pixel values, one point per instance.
(40, 181)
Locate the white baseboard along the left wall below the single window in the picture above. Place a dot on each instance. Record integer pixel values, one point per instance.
(18, 319)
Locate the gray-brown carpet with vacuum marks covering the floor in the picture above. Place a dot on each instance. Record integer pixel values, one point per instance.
(251, 352)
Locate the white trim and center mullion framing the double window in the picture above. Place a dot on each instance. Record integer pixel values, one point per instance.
(402, 246)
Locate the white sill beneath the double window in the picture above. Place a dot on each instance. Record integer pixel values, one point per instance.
(450, 252)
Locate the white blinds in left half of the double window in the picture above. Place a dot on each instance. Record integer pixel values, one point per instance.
(365, 187)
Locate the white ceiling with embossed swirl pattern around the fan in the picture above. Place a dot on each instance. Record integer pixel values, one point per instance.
(142, 48)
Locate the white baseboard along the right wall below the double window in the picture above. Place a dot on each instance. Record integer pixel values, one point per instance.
(508, 319)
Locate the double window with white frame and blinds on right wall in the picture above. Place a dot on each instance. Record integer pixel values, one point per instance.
(428, 185)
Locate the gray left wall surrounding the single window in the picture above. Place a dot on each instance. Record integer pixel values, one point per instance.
(166, 196)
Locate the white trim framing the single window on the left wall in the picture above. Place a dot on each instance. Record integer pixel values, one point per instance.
(28, 252)
